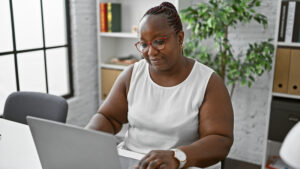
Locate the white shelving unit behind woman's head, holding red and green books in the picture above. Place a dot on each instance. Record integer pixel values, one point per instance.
(116, 44)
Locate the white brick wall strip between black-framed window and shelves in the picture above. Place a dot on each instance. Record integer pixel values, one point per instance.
(85, 102)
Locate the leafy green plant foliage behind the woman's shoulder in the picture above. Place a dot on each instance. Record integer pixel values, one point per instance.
(211, 21)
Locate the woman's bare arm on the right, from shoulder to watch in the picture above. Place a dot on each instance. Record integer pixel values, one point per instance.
(215, 127)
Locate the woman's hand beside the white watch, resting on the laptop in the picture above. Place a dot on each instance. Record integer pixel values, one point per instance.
(158, 159)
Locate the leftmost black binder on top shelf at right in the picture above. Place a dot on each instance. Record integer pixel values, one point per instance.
(282, 22)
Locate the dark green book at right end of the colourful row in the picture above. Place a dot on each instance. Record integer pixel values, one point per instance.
(116, 17)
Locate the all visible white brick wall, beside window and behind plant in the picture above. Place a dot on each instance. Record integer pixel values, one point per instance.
(250, 105)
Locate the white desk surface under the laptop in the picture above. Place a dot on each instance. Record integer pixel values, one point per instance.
(17, 149)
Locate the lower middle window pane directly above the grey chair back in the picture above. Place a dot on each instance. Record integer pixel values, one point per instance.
(32, 71)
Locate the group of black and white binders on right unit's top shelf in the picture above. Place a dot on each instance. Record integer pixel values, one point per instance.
(289, 24)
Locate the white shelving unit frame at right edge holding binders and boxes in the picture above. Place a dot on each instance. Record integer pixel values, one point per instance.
(272, 147)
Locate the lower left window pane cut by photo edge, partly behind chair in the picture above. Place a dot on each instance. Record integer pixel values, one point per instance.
(7, 78)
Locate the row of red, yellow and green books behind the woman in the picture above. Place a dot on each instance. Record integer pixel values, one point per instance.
(110, 17)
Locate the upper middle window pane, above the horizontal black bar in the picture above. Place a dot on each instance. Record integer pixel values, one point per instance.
(28, 24)
